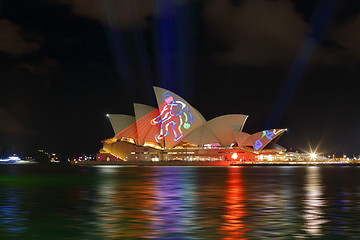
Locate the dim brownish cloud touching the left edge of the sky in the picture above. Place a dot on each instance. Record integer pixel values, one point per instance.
(13, 41)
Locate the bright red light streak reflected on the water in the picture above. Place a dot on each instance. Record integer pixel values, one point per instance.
(233, 226)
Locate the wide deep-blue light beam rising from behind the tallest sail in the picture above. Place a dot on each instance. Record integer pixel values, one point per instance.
(172, 38)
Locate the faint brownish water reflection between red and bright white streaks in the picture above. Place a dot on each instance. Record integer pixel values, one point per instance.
(270, 203)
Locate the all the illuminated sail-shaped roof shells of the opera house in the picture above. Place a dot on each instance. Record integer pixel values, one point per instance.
(176, 120)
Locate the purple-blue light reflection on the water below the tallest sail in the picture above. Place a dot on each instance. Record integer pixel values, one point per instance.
(175, 203)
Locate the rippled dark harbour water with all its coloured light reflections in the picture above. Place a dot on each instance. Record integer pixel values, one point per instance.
(282, 202)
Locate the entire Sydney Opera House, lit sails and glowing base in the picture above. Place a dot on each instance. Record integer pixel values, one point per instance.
(177, 131)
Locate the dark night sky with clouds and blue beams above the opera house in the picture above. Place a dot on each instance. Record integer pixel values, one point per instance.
(65, 64)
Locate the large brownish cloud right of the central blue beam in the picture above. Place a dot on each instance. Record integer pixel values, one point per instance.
(257, 32)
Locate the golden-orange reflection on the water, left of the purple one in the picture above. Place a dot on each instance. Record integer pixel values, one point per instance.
(121, 205)
